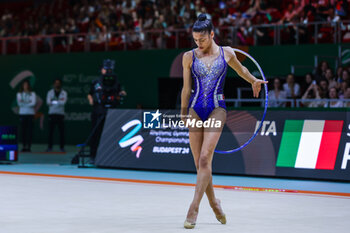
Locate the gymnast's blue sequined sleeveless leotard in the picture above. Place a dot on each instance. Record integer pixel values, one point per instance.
(208, 85)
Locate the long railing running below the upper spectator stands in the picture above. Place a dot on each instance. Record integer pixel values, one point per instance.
(314, 32)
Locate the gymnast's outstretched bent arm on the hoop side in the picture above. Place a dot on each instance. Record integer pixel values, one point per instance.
(242, 71)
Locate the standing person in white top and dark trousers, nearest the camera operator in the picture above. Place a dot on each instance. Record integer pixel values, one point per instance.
(56, 99)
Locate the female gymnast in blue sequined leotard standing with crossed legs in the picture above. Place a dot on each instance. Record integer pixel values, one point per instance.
(207, 66)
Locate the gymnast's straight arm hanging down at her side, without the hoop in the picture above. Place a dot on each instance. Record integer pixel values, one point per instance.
(187, 82)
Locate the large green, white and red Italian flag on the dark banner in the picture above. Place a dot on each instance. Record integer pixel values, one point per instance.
(309, 144)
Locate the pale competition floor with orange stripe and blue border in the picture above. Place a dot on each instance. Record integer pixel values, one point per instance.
(57, 197)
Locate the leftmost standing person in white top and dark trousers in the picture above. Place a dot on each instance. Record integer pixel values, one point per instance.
(26, 100)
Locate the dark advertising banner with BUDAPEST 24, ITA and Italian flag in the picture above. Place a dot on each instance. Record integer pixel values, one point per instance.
(302, 144)
